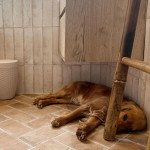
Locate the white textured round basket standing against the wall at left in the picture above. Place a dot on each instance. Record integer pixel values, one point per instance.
(8, 78)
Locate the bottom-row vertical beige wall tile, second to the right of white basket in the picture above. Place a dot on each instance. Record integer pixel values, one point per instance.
(28, 79)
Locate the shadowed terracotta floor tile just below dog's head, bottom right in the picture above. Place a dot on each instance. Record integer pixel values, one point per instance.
(138, 138)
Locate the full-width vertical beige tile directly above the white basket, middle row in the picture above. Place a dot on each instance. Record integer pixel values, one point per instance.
(9, 43)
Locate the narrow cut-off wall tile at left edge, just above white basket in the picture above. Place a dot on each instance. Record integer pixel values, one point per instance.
(2, 51)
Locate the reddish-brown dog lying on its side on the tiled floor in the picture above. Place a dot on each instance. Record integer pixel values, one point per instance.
(93, 102)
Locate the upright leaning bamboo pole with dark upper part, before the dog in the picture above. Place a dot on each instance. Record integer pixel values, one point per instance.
(120, 76)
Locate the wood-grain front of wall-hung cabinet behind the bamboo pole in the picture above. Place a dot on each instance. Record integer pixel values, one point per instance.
(95, 32)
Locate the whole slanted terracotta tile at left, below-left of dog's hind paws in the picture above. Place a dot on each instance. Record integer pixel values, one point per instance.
(19, 116)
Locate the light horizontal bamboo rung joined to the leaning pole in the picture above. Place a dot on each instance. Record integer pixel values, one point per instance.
(143, 66)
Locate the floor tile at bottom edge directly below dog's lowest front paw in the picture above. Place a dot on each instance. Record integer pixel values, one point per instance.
(71, 140)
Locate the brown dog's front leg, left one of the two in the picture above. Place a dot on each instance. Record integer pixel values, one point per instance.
(64, 119)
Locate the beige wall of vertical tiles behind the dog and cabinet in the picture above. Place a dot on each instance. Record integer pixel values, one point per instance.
(29, 32)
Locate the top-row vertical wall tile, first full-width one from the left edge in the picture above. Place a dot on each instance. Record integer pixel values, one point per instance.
(7, 13)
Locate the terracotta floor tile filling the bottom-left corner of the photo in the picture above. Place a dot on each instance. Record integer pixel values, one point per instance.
(9, 143)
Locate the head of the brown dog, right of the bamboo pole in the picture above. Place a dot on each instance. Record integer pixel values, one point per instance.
(131, 118)
